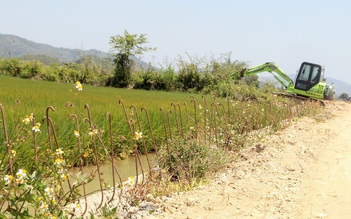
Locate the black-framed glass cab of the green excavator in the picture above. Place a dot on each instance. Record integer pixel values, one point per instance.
(309, 75)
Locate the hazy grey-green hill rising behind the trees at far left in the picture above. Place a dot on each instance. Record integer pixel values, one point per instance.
(14, 46)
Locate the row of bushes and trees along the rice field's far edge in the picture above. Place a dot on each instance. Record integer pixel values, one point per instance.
(192, 74)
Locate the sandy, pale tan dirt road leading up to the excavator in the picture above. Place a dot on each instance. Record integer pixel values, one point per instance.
(302, 172)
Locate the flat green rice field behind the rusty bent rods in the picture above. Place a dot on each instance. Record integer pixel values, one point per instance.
(19, 98)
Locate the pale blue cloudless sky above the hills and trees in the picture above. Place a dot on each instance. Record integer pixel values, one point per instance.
(253, 31)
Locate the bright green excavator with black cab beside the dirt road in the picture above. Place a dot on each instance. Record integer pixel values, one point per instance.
(310, 81)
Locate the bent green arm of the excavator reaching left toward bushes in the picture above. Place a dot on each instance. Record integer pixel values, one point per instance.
(272, 68)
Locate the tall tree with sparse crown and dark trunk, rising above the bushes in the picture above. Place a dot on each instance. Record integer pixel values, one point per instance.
(123, 48)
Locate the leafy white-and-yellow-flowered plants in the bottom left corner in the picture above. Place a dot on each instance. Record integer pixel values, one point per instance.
(39, 194)
